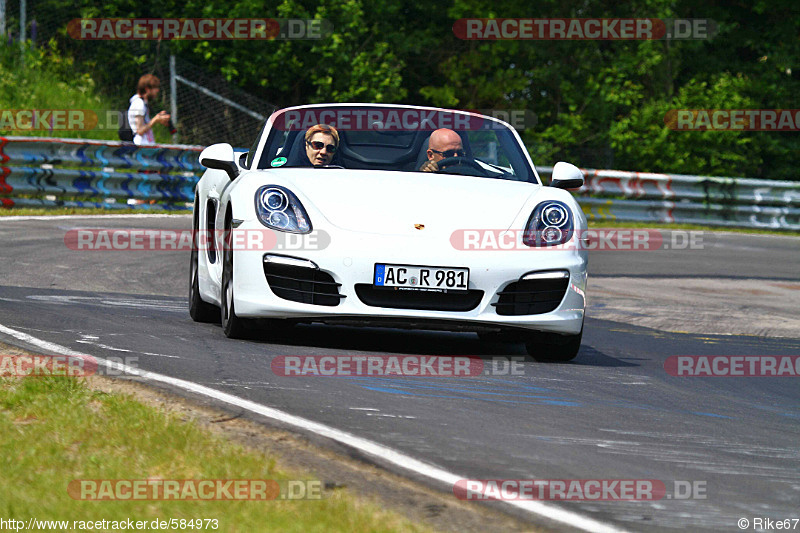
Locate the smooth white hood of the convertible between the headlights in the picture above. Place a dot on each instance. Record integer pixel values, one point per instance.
(394, 202)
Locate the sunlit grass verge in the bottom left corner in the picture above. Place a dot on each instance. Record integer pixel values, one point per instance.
(55, 429)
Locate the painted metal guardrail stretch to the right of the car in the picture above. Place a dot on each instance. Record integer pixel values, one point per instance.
(684, 199)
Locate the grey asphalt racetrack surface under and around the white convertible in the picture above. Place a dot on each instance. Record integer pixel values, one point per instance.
(612, 413)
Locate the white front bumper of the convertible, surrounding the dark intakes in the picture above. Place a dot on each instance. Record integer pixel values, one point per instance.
(349, 261)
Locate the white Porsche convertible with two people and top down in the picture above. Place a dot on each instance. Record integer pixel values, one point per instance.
(370, 233)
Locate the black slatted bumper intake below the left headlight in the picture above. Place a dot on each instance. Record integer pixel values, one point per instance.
(301, 284)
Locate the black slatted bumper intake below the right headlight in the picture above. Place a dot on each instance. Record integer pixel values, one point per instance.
(531, 297)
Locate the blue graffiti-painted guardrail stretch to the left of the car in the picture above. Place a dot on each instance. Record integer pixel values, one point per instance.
(45, 172)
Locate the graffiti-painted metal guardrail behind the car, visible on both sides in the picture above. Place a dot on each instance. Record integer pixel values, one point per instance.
(45, 172)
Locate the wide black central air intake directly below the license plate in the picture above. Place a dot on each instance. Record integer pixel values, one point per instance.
(416, 299)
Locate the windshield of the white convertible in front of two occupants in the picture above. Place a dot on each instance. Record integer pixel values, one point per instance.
(396, 138)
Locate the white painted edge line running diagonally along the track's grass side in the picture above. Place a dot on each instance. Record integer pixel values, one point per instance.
(367, 446)
